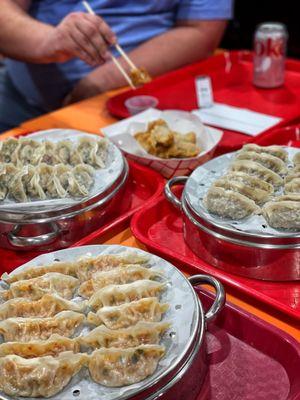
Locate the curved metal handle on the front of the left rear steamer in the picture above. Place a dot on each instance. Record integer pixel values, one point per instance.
(32, 241)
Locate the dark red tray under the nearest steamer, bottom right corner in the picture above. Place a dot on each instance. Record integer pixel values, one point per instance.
(249, 359)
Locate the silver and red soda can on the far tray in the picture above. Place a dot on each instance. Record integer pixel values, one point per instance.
(270, 41)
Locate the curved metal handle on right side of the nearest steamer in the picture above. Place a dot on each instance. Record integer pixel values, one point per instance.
(219, 301)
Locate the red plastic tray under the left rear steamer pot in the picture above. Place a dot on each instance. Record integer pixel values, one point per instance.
(143, 185)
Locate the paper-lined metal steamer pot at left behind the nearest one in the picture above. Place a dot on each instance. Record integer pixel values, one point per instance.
(58, 223)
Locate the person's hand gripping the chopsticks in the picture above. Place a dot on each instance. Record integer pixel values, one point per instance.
(81, 35)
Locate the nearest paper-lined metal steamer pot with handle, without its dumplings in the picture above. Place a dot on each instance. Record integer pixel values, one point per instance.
(182, 372)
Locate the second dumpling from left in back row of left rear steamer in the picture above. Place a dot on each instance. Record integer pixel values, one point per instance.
(27, 152)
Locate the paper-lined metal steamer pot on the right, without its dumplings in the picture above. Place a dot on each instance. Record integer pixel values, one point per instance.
(247, 247)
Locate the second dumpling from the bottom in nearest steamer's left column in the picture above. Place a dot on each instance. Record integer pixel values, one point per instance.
(53, 346)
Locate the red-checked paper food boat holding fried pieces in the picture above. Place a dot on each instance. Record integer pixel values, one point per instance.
(122, 134)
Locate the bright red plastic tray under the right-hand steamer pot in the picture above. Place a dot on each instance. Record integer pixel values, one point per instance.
(159, 226)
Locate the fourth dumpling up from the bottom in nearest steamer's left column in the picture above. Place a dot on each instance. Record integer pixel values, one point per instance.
(48, 306)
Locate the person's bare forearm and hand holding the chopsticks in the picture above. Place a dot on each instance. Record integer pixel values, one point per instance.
(26, 39)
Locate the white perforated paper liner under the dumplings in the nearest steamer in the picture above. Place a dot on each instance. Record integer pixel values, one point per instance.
(182, 301)
